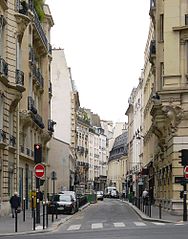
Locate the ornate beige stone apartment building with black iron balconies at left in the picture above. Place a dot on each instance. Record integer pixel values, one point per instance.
(25, 117)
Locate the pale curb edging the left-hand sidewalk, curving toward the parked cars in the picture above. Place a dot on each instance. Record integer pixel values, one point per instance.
(53, 227)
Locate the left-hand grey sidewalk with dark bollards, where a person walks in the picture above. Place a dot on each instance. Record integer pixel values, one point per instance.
(7, 223)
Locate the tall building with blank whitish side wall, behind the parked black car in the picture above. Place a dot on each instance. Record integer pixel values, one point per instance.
(65, 103)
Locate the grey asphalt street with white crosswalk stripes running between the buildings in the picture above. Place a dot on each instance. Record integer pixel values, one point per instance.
(111, 218)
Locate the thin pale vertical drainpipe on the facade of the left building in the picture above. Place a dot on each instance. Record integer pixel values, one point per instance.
(17, 149)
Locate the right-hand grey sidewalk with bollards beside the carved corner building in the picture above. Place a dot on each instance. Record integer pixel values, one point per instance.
(165, 215)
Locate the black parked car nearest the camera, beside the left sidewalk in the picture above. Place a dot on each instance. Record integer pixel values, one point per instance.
(62, 203)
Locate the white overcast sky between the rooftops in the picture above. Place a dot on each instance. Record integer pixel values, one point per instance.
(104, 42)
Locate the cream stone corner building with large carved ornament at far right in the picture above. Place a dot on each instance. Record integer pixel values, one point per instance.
(169, 110)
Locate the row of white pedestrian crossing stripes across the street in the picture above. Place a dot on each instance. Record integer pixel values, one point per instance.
(94, 226)
